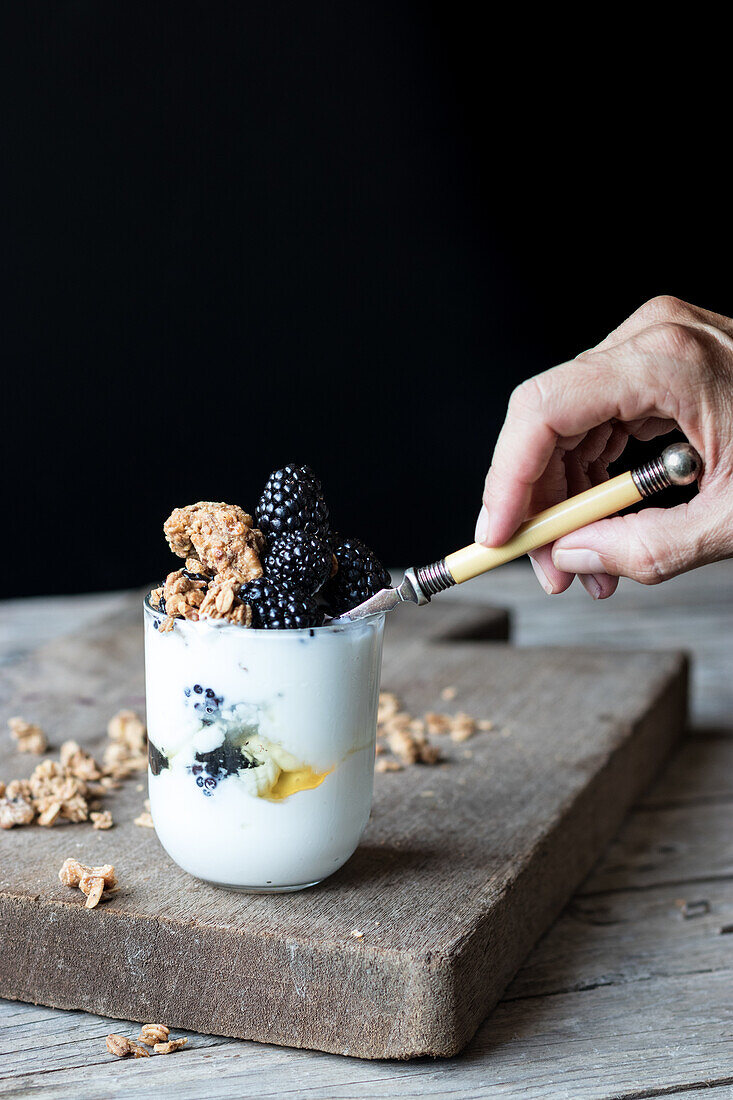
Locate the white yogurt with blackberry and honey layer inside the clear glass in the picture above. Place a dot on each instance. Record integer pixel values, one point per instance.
(262, 747)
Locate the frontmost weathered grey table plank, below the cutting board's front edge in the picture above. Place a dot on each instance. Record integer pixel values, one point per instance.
(592, 1046)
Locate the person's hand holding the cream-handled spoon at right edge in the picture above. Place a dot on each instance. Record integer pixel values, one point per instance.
(670, 366)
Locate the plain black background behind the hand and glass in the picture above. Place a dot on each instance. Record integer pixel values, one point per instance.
(242, 235)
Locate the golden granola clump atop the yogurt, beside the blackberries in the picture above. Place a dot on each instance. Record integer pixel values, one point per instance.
(223, 553)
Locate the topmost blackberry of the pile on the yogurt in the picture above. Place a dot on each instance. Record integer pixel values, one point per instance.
(292, 501)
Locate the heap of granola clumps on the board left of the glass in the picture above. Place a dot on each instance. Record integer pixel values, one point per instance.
(70, 789)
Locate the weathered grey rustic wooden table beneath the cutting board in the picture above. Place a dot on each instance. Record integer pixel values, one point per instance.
(629, 996)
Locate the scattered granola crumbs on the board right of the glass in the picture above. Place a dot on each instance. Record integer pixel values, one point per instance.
(403, 740)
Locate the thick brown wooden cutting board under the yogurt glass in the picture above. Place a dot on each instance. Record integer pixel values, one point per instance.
(463, 867)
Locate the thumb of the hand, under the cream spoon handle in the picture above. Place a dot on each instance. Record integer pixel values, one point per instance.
(649, 546)
